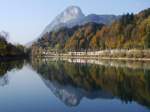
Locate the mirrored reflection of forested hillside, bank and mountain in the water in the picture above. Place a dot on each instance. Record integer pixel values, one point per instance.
(72, 80)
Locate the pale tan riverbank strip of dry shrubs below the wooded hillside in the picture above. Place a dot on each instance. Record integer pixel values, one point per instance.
(133, 55)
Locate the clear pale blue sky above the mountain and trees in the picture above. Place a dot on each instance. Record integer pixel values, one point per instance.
(25, 19)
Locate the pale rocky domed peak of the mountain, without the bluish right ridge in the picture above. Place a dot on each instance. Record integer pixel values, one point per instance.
(69, 17)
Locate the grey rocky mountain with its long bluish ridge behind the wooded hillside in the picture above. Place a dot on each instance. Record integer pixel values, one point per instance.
(73, 16)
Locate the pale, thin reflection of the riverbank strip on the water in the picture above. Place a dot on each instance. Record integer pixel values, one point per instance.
(114, 62)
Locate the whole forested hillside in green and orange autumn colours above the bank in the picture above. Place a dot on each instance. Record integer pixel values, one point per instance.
(130, 31)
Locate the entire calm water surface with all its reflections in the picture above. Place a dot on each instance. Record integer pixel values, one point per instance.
(74, 86)
